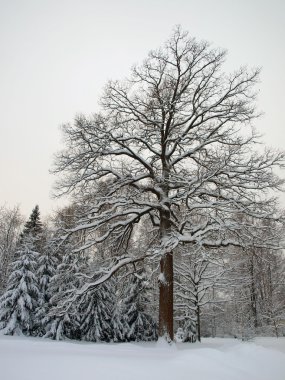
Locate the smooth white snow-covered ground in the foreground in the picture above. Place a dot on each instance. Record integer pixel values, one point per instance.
(213, 359)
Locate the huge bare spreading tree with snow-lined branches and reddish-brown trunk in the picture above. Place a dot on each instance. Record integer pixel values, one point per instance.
(172, 142)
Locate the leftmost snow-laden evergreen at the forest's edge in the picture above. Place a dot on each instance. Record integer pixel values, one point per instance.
(19, 302)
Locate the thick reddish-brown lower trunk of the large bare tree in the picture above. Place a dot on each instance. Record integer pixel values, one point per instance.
(166, 297)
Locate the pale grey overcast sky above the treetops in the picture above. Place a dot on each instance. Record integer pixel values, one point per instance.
(56, 55)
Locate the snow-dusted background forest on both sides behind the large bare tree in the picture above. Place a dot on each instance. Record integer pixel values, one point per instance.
(225, 292)
